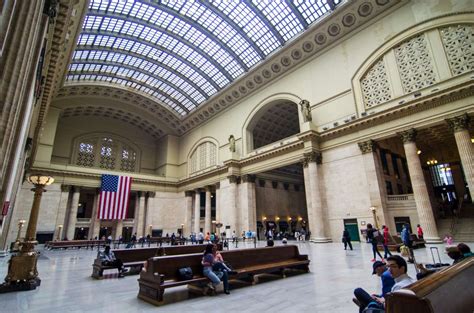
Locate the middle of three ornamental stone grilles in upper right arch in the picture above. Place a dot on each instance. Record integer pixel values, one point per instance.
(414, 64)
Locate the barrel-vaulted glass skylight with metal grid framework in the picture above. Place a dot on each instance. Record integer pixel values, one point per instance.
(183, 52)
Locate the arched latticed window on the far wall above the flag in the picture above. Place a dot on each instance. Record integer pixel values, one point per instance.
(106, 152)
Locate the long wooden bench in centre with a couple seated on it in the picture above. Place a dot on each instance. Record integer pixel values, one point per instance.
(162, 272)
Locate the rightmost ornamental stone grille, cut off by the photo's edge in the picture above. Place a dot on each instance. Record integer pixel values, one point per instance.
(458, 42)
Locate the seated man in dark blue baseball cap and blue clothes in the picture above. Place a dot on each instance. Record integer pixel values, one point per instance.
(362, 298)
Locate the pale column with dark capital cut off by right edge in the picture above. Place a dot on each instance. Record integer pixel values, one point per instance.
(460, 126)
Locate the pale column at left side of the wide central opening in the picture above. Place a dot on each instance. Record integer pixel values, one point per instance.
(248, 203)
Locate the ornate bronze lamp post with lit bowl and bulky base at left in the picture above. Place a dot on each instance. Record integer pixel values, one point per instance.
(22, 272)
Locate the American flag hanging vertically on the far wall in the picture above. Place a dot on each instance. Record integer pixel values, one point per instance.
(114, 196)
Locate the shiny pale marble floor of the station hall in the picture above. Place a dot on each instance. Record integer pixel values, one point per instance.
(67, 286)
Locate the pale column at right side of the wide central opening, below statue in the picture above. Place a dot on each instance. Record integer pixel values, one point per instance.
(316, 218)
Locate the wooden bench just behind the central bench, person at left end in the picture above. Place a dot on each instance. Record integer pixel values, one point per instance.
(135, 258)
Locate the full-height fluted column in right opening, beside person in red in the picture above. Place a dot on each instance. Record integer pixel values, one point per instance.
(420, 191)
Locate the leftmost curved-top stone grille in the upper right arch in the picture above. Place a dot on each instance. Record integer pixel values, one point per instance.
(375, 85)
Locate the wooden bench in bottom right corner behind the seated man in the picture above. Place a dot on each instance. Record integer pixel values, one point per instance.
(449, 290)
